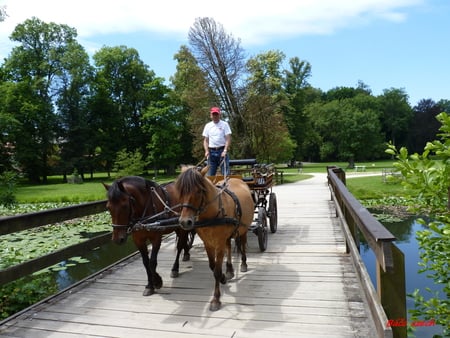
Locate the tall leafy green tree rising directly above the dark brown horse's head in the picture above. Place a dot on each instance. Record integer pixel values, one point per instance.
(121, 94)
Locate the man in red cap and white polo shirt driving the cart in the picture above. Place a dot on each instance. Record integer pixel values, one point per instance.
(217, 139)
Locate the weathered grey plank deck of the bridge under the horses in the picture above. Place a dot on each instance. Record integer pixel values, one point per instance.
(304, 285)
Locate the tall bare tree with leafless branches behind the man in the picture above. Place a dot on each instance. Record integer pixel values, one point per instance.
(222, 59)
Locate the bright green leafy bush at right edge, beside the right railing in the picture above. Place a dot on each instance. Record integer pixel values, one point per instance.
(431, 177)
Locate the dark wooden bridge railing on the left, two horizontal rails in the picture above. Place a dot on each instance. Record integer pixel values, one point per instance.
(17, 223)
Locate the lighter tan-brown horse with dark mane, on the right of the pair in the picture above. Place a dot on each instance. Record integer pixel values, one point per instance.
(218, 213)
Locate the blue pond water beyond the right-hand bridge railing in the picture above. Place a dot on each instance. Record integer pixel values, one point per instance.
(406, 241)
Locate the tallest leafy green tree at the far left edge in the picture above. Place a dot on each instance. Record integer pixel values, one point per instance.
(36, 66)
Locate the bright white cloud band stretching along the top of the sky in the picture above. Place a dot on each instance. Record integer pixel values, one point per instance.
(254, 21)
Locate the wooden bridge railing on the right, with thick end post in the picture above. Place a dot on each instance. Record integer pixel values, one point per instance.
(388, 300)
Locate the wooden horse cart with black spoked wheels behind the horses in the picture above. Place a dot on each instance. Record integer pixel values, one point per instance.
(260, 180)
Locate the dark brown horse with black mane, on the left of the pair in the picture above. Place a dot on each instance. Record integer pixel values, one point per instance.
(134, 201)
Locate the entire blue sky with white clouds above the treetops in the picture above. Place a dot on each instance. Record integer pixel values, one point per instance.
(402, 44)
